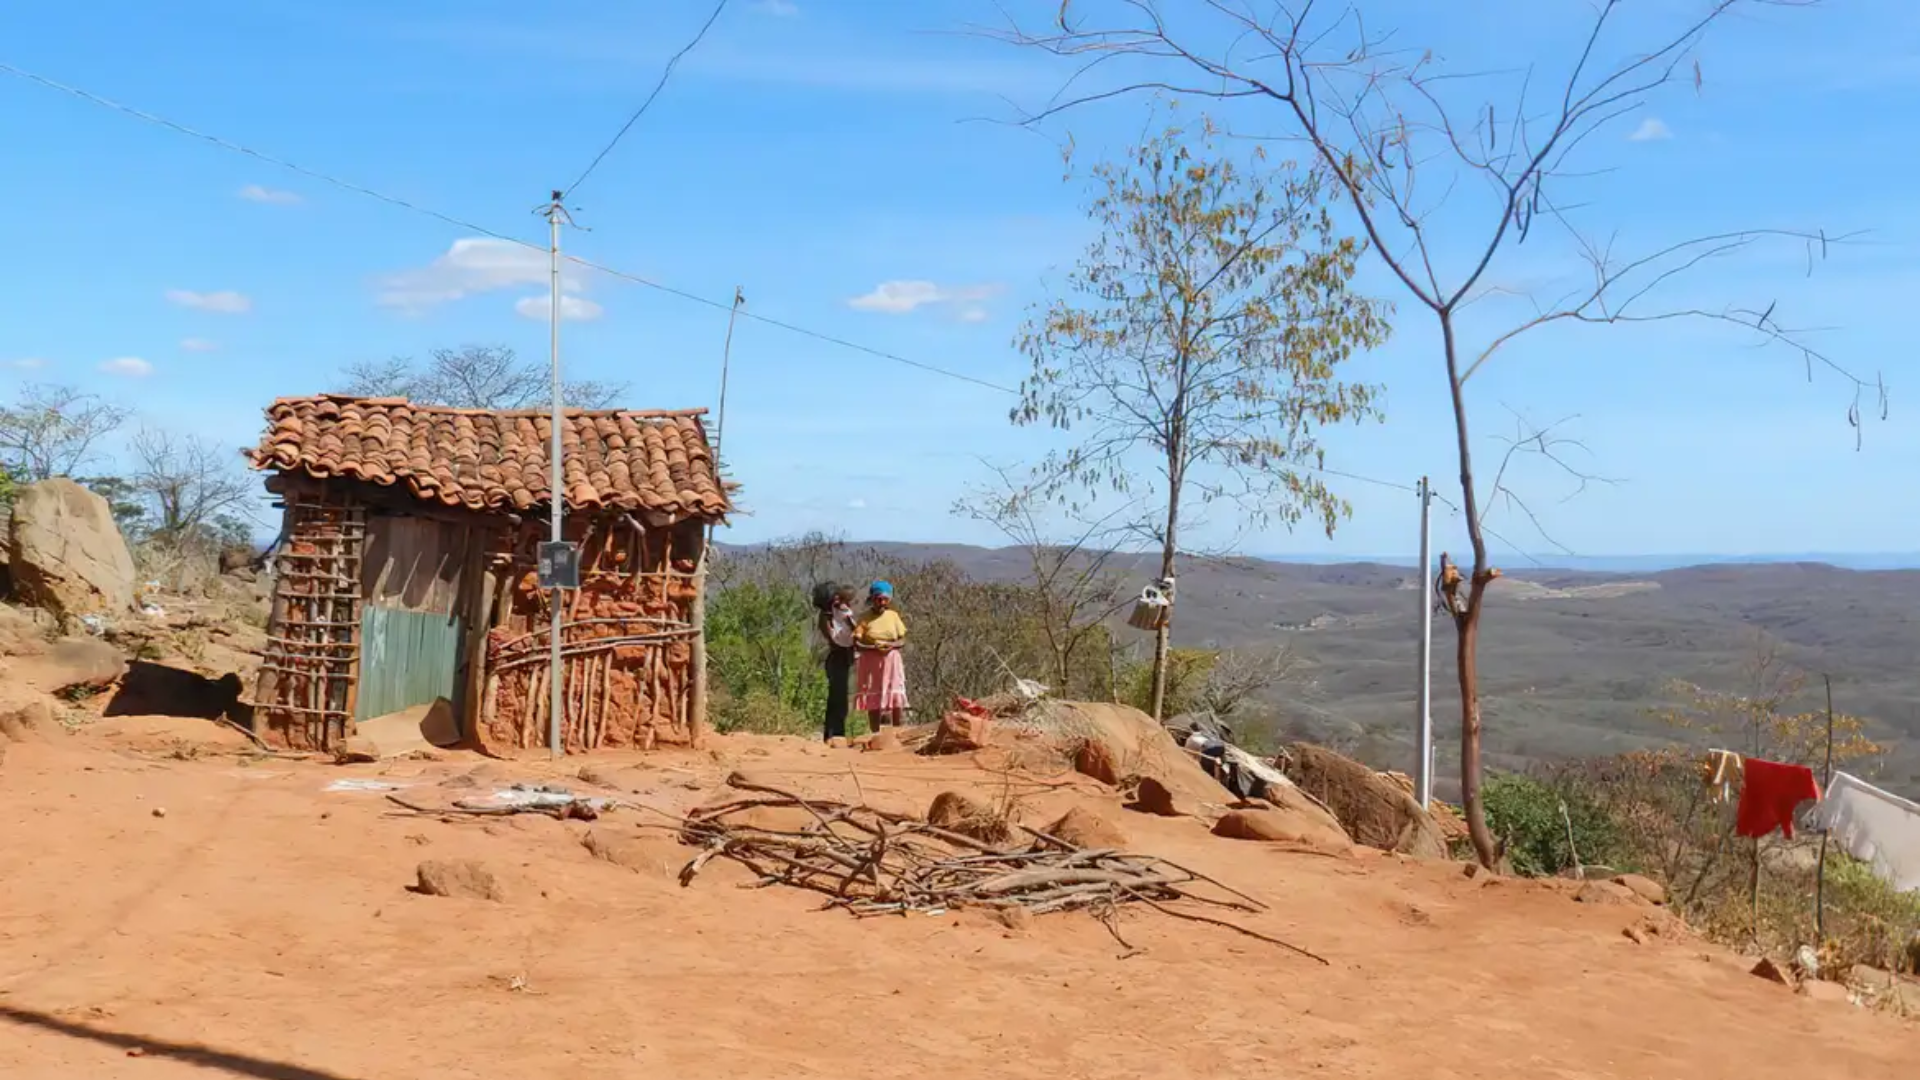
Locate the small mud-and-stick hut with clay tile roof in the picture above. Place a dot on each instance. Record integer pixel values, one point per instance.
(406, 572)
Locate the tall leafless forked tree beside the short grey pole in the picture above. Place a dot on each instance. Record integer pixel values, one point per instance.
(1399, 139)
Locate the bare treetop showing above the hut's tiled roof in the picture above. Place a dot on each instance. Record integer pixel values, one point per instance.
(473, 378)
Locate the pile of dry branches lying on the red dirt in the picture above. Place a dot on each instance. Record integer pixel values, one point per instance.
(875, 862)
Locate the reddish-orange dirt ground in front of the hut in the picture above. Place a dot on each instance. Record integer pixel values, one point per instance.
(262, 927)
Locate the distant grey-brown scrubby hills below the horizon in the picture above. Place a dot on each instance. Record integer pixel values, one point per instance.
(1572, 660)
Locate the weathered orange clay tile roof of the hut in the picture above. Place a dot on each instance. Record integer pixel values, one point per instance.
(498, 460)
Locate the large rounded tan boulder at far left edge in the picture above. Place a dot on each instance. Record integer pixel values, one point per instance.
(66, 554)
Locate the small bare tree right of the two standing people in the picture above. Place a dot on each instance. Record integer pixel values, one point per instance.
(1074, 587)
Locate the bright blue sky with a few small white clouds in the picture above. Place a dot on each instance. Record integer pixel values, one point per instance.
(813, 153)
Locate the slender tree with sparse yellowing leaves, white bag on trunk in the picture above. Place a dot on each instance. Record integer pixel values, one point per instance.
(1207, 328)
